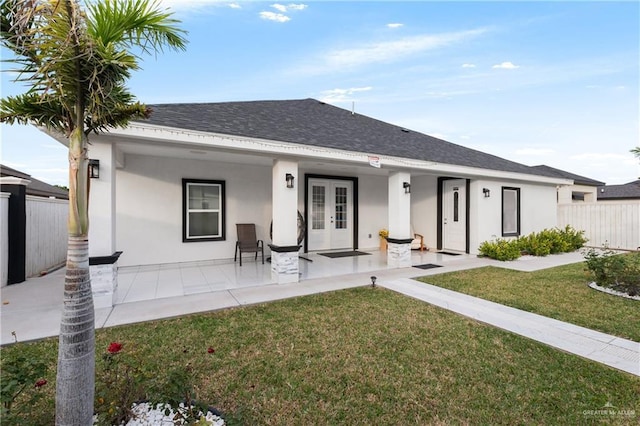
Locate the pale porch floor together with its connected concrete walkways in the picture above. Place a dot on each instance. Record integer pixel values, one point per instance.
(31, 310)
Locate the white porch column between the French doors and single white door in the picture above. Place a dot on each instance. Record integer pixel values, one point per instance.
(399, 240)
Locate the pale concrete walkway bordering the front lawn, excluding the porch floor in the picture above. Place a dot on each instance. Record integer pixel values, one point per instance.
(33, 308)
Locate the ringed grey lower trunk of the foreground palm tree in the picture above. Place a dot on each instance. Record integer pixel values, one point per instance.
(76, 353)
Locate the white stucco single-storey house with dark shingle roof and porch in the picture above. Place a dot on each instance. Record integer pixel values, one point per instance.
(173, 187)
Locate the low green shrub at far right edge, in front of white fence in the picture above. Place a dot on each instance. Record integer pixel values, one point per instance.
(620, 272)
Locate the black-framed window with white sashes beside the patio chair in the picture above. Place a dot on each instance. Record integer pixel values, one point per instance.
(203, 210)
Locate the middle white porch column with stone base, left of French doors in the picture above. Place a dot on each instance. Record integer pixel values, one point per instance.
(284, 248)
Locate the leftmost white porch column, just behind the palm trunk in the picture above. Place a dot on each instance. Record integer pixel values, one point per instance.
(102, 227)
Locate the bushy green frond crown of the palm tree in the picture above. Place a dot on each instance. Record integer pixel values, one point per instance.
(80, 62)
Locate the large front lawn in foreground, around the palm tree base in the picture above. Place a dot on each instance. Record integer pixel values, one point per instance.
(360, 357)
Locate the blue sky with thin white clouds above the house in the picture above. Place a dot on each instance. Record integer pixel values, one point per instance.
(553, 83)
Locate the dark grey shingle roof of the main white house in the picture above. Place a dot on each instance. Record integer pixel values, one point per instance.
(315, 123)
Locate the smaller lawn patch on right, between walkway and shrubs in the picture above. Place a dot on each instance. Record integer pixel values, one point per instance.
(561, 293)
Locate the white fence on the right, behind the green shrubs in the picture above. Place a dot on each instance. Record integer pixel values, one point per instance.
(615, 224)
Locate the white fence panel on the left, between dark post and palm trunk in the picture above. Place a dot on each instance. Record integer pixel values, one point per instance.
(46, 229)
